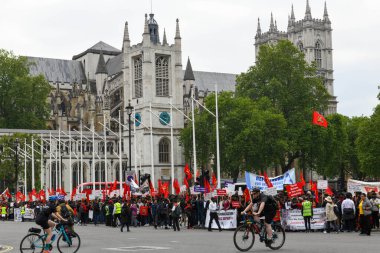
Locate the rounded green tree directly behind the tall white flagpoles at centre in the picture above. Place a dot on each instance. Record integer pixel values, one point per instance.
(251, 134)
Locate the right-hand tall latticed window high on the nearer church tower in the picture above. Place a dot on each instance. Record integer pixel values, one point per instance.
(162, 76)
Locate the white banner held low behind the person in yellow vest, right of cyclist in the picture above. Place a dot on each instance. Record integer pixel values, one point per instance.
(293, 219)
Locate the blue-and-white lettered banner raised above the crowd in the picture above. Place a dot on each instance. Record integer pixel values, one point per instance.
(254, 180)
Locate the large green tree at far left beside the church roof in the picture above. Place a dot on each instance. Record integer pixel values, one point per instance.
(23, 98)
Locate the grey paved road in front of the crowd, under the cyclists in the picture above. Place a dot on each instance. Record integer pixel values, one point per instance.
(147, 239)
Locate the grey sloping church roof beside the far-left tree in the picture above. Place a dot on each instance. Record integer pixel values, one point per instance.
(63, 71)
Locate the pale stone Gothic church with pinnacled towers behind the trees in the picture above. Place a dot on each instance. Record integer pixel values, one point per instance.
(91, 90)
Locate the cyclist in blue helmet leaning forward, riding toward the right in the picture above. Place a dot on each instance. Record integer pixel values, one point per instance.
(47, 224)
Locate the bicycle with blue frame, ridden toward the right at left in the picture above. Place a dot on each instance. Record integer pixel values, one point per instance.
(35, 242)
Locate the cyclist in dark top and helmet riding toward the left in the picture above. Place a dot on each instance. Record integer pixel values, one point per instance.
(266, 207)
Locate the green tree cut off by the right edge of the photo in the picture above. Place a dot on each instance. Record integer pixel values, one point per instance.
(368, 145)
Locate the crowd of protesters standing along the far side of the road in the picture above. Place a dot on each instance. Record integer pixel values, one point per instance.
(344, 211)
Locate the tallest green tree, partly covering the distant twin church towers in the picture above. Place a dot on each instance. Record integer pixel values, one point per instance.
(294, 88)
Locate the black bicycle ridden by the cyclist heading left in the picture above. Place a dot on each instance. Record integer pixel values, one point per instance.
(245, 234)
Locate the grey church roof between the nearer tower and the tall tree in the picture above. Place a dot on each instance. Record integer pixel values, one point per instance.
(205, 81)
